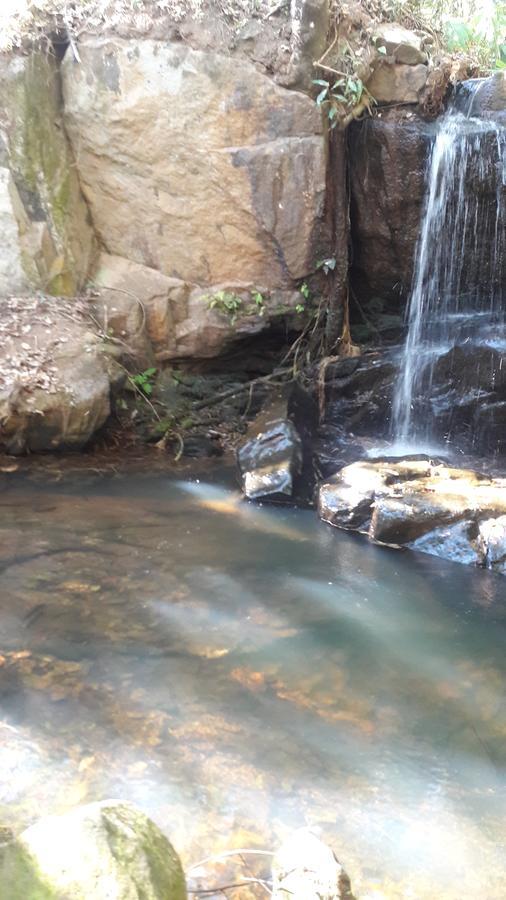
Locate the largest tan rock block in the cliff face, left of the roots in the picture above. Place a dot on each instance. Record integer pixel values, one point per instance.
(195, 164)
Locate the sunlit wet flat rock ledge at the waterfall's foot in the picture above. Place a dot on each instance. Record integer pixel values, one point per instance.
(456, 514)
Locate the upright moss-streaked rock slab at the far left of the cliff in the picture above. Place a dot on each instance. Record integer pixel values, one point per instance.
(47, 241)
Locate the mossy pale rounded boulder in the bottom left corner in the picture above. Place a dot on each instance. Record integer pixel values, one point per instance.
(102, 851)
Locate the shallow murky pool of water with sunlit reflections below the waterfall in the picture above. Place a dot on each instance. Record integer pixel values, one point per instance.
(237, 671)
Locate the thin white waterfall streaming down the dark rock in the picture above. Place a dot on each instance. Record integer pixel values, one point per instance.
(456, 295)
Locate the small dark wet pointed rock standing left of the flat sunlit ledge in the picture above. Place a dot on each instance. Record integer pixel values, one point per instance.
(276, 460)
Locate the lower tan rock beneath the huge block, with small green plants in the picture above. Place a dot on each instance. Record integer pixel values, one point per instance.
(156, 318)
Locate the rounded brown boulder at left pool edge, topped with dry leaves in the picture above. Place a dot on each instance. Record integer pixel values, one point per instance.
(55, 377)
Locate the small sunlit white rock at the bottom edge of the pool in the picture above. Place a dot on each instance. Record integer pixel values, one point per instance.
(306, 869)
